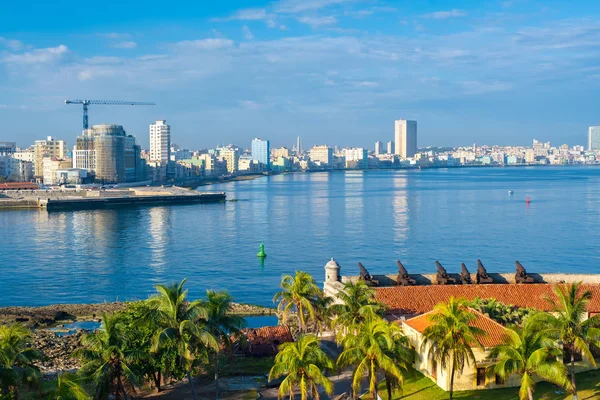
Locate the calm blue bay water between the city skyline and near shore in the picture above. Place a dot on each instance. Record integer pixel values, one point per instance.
(376, 217)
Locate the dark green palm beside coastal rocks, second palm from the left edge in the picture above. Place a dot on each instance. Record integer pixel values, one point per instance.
(107, 361)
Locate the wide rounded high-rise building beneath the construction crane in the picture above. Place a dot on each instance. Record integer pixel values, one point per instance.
(110, 153)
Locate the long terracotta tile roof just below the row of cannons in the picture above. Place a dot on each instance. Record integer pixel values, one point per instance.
(422, 299)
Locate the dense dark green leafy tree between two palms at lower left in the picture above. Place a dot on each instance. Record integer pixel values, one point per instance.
(140, 328)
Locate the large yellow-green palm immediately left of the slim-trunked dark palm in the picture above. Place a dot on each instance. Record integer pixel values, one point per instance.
(181, 322)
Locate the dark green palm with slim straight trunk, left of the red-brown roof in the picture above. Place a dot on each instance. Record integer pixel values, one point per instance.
(221, 324)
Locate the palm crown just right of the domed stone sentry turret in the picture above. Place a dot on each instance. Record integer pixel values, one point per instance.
(357, 303)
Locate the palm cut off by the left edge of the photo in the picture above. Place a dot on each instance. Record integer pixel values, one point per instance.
(16, 359)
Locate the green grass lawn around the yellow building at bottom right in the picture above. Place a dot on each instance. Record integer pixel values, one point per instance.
(422, 388)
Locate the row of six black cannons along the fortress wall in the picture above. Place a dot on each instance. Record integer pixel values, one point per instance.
(443, 278)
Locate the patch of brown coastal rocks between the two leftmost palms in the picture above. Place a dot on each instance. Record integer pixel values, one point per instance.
(58, 351)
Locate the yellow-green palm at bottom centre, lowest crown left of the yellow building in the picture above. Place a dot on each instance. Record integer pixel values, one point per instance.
(302, 363)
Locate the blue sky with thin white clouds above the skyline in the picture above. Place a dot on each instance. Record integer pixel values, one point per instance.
(330, 71)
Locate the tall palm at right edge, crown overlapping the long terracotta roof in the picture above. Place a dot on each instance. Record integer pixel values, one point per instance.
(567, 322)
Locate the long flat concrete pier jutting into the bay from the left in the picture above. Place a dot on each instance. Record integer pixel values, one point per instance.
(98, 198)
